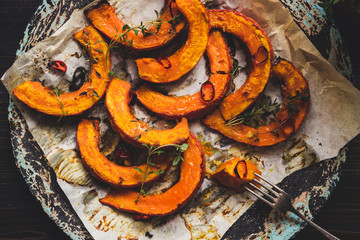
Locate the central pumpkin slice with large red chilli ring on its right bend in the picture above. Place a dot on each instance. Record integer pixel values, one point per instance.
(193, 106)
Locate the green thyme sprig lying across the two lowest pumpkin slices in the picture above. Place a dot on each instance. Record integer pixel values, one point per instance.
(153, 150)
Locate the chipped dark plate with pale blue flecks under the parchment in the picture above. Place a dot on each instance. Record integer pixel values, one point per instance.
(258, 222)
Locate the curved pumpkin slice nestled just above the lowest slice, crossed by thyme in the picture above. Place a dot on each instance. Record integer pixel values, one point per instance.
(100, 167)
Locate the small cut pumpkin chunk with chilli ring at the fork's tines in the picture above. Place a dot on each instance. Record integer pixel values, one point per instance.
(235, 172)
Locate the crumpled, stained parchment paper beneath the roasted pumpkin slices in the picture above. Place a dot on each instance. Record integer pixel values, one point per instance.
(332, 121)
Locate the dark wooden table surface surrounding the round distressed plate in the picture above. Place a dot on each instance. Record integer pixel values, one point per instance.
(21, 216)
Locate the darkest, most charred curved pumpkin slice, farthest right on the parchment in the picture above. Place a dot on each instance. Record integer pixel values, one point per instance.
(287, 121)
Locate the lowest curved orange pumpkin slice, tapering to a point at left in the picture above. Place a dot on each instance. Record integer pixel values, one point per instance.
(191, 177)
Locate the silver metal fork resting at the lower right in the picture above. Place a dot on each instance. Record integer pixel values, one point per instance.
(279, 200)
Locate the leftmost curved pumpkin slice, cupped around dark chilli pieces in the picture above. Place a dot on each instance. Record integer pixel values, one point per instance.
(53, 101)
